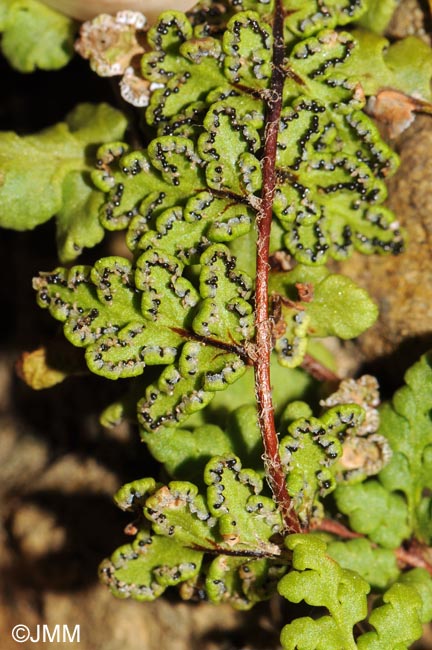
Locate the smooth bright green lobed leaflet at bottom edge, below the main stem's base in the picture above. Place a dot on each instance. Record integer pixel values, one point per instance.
(321, 582)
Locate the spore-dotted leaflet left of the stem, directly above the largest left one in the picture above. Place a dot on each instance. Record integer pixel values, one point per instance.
(162, 195)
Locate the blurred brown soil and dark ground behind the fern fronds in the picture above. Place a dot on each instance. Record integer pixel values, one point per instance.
(59, 468)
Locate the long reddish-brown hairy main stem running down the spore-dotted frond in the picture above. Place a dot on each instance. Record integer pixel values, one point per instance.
(274, 470)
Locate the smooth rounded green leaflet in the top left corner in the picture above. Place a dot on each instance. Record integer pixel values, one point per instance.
(35, 36)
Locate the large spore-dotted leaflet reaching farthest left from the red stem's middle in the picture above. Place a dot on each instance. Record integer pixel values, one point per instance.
(129, 317)
